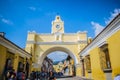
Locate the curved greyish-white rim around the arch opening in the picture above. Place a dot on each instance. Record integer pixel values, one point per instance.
(63, 49)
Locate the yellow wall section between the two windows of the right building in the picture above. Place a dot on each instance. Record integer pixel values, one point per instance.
(97, 73)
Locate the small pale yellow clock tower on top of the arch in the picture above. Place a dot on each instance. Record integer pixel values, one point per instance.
(57, 25)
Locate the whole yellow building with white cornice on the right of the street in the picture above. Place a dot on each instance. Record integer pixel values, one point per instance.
(104, 53)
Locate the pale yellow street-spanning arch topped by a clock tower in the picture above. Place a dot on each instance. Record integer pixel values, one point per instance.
(41, 44)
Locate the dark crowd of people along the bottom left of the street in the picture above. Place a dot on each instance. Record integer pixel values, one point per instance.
(10, 74)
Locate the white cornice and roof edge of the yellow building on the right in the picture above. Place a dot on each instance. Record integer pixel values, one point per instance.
(111, 29)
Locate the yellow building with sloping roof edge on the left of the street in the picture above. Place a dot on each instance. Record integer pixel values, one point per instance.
(13, 53)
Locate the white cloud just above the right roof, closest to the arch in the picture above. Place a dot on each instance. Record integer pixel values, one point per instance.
(97, 27)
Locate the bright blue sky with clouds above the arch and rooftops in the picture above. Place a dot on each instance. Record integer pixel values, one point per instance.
(17, 17)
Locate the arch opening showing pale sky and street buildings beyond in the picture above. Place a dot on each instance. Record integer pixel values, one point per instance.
(60, 63)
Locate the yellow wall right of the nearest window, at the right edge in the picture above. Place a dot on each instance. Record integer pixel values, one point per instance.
(114, 52)
